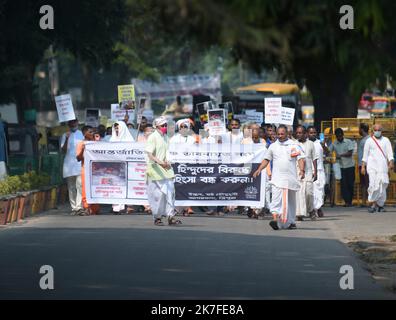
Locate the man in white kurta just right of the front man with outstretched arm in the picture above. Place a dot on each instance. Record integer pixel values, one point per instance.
(305, 196)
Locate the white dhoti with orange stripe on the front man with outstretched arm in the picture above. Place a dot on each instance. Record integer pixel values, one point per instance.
(283, 205)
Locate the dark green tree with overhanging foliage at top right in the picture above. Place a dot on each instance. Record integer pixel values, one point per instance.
(302, 39)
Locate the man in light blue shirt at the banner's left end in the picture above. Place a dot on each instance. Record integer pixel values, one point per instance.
(71, 167)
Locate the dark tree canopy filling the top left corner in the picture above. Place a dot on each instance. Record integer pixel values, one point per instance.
(88, 29)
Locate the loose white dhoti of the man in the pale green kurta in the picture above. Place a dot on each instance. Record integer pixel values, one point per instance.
(161, 197)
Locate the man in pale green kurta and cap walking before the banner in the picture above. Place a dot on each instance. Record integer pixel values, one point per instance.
(160, 175)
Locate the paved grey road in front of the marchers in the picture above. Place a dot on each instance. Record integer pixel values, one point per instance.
(126, 257)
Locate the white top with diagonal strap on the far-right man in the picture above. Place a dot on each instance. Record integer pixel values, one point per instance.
(373, 156)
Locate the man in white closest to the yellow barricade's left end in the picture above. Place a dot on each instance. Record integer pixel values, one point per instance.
(320, 183)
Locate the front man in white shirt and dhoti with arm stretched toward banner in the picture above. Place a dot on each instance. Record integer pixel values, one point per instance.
(284, 154)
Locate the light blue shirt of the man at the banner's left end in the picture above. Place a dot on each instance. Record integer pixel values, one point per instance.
(71, 167)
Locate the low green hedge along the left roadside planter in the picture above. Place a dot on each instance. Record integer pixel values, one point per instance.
(28, 181)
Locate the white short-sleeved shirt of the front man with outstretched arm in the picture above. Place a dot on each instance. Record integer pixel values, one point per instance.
(284, 170)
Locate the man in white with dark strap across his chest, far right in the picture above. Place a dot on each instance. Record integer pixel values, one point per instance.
(377, 161)
